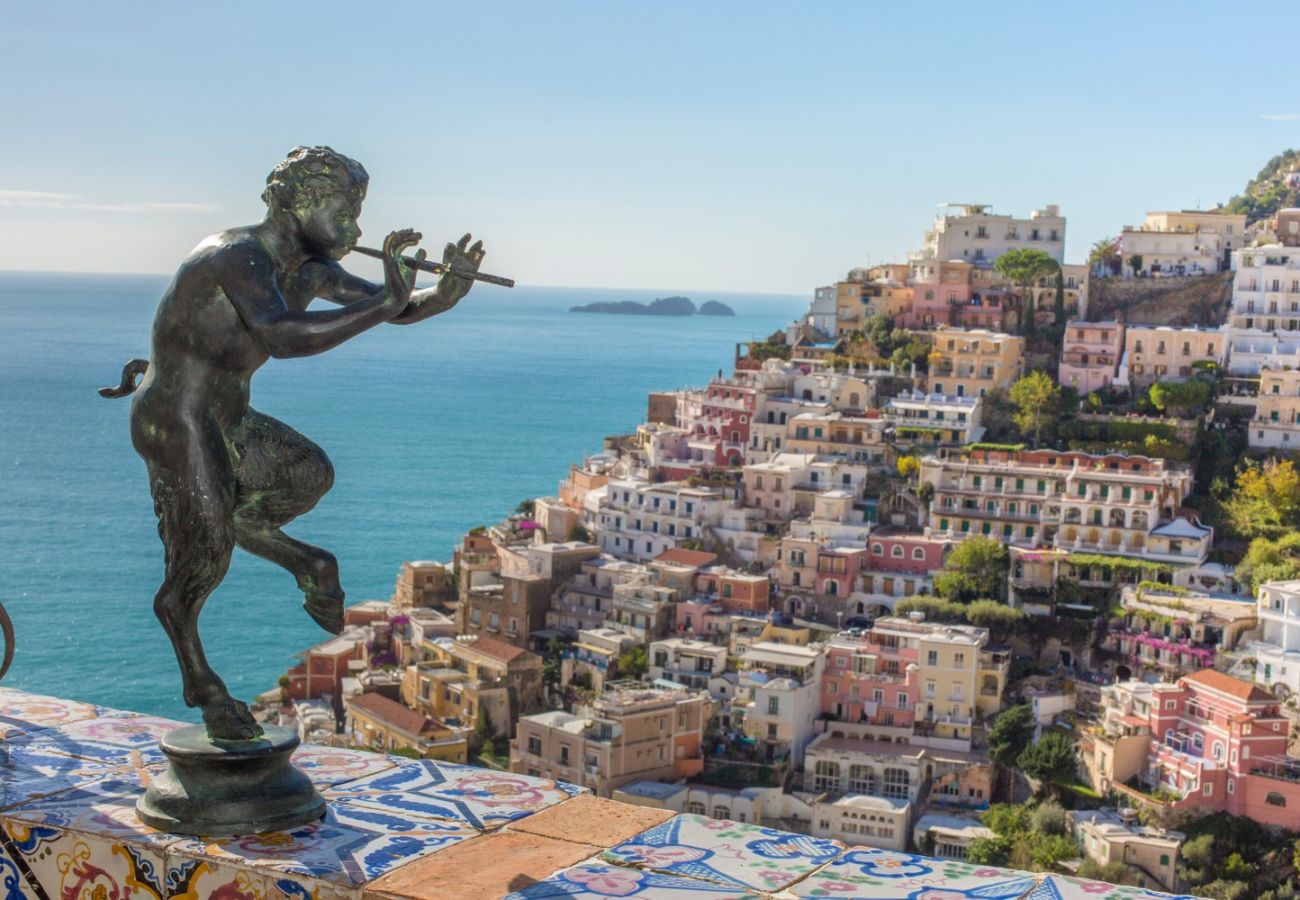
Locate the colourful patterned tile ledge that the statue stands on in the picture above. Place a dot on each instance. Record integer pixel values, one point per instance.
(402, 830)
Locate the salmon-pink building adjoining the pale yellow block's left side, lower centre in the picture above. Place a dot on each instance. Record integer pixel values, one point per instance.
(870, 682)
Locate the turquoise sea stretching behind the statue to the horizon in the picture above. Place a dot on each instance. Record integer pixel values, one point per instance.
(432, 429)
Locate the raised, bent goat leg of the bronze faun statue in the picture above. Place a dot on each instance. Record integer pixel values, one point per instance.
(280, 475)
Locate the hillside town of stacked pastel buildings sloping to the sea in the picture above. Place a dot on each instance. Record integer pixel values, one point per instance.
(964, 562)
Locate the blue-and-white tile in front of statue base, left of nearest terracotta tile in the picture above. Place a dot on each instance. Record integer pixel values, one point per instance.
(352, 846)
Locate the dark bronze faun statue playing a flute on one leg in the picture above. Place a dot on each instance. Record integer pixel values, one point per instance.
(224, 475)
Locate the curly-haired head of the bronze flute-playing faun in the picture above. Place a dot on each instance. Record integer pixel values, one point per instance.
(323, 191)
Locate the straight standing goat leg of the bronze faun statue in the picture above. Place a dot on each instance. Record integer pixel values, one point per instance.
(198, 536)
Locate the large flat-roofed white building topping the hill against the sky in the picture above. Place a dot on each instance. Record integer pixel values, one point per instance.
(973, 235)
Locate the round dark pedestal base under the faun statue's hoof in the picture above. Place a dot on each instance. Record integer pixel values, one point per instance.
(223, 789)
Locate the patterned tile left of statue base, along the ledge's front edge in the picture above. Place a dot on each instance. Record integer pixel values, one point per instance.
(105, 808)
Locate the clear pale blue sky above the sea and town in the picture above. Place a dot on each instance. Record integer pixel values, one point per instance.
(710, 146)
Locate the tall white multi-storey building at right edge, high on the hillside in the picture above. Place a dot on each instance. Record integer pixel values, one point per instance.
(1264, 324)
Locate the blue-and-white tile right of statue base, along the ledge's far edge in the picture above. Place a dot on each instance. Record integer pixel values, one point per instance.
(482, 798)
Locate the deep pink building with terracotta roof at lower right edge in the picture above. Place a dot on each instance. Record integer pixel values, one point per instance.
(1221, 745)
